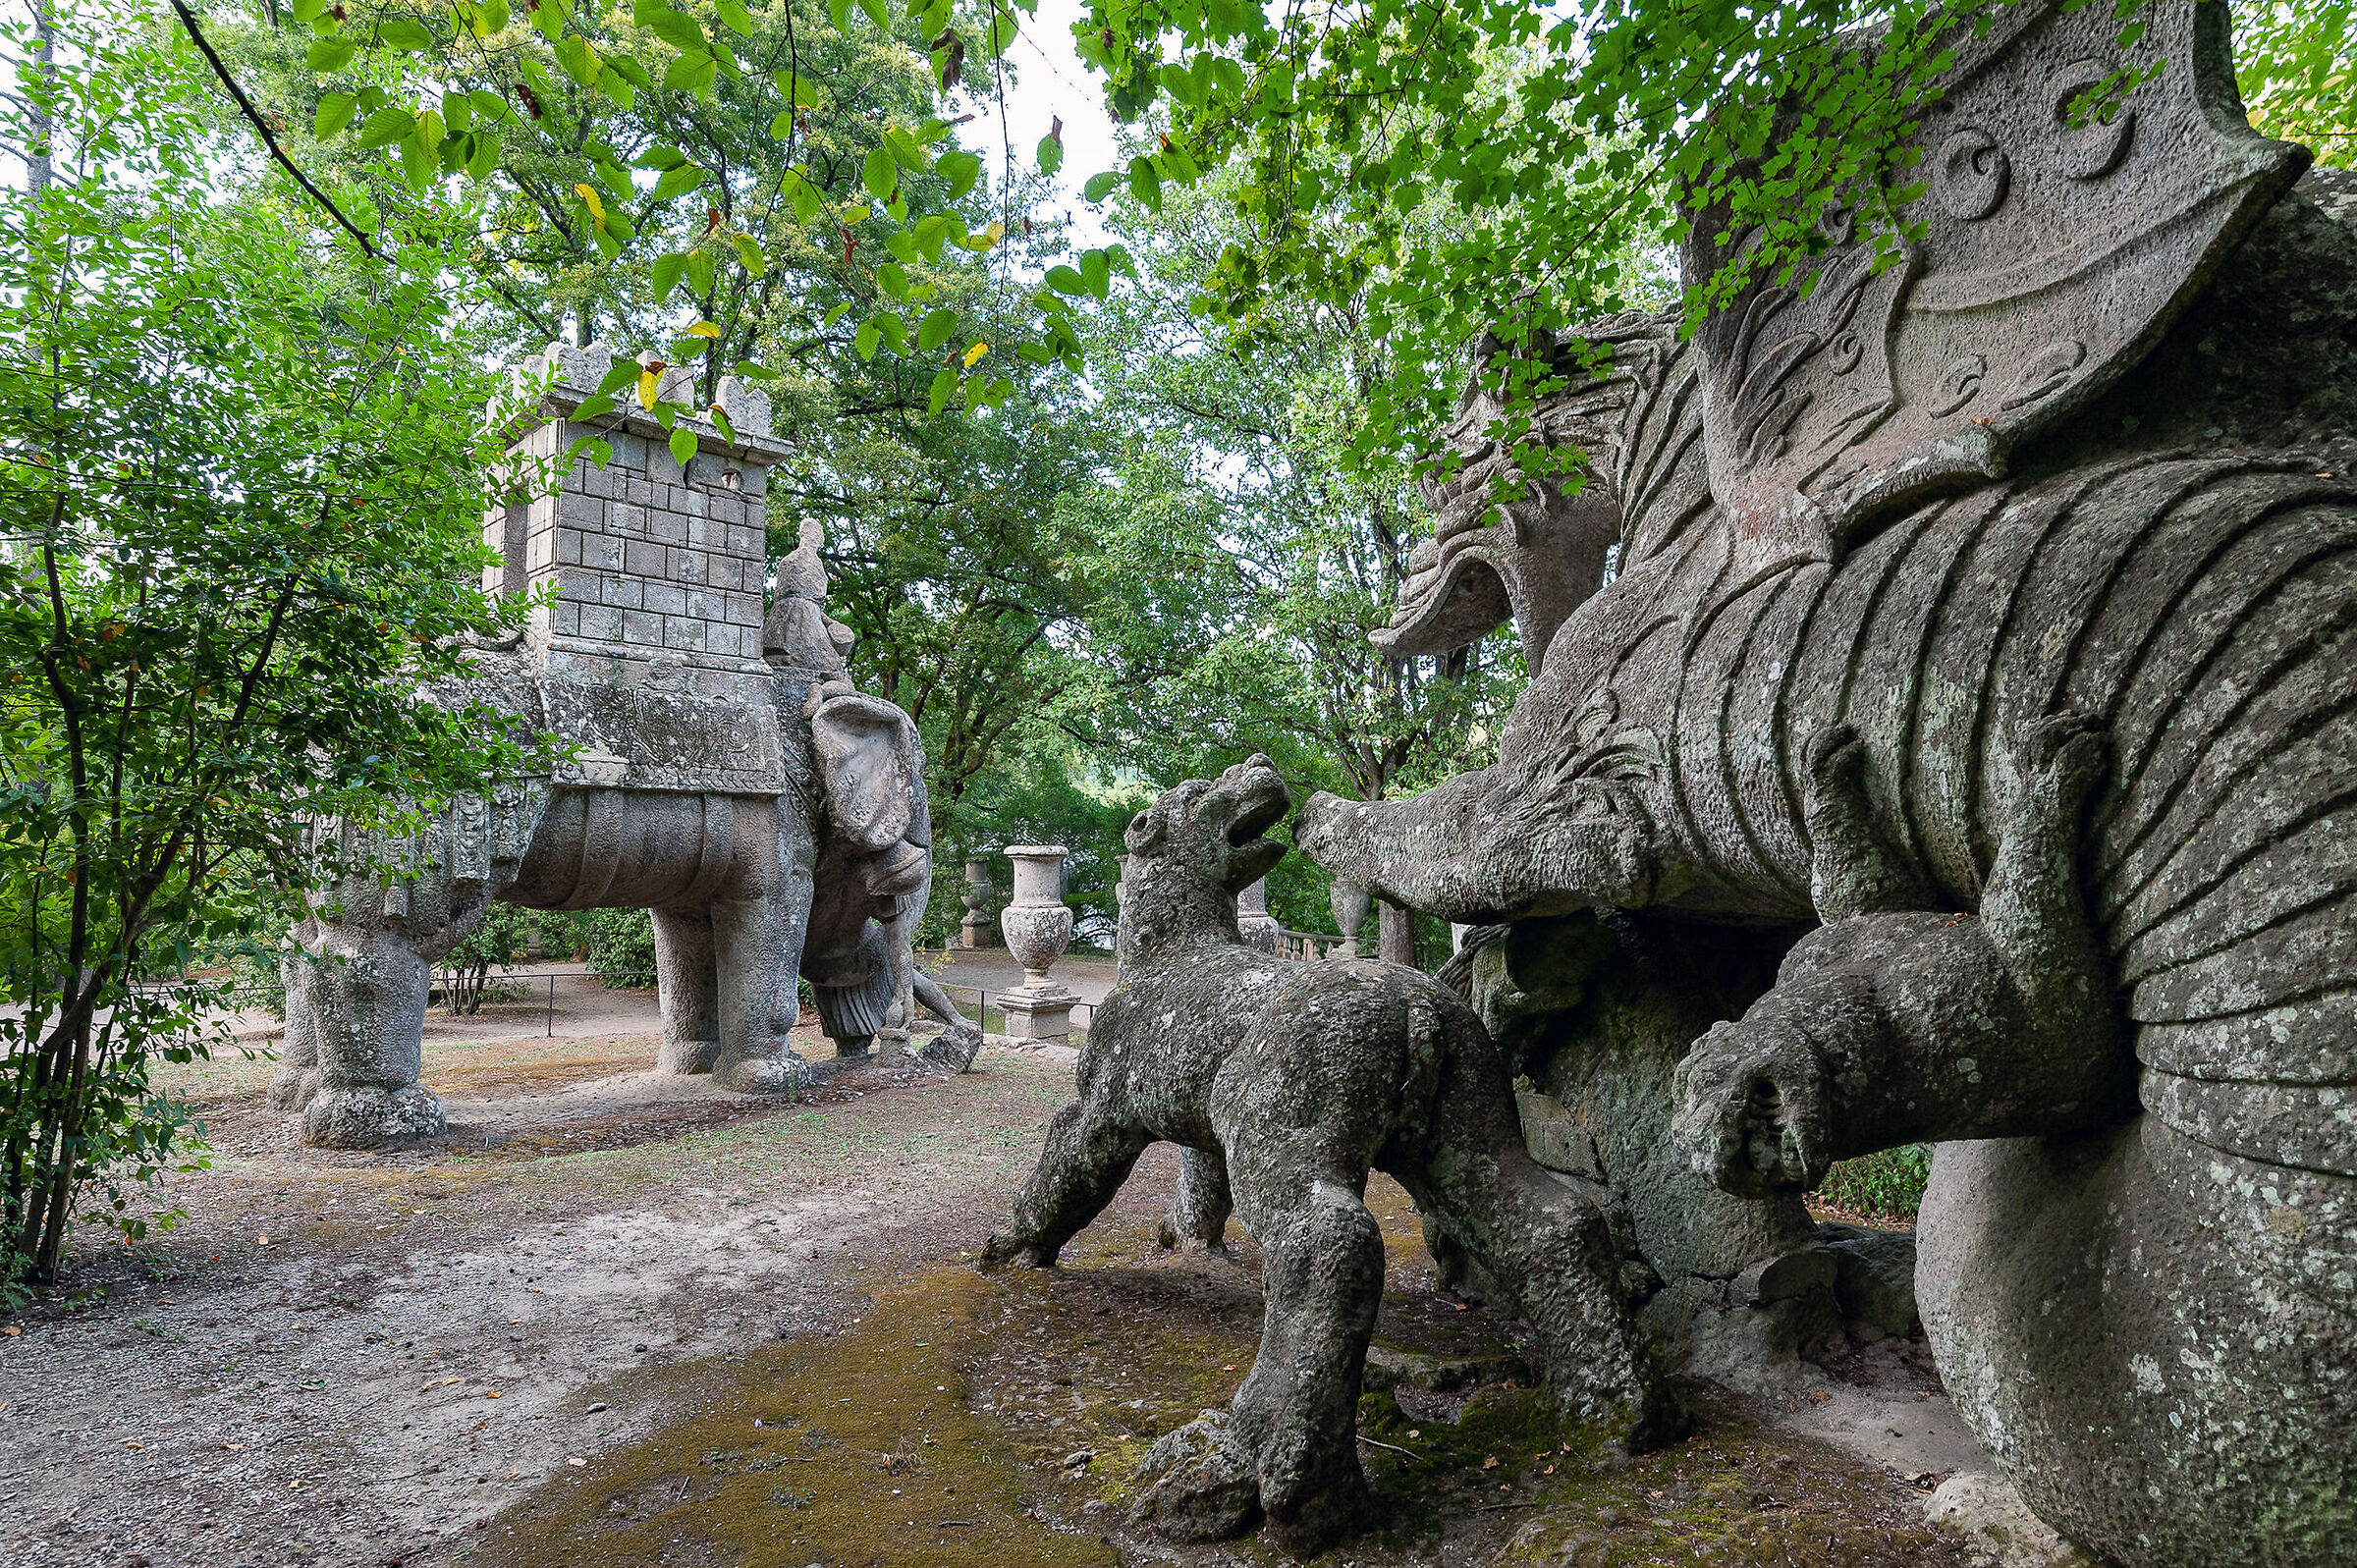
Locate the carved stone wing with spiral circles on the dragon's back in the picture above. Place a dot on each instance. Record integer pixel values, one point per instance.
(2052, 263)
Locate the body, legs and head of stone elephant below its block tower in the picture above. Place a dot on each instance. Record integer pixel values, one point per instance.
(826, 831)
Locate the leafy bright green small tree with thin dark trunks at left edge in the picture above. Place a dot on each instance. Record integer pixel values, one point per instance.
(242, 492)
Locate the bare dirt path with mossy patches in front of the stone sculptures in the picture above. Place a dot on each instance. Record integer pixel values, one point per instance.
(623, 1322)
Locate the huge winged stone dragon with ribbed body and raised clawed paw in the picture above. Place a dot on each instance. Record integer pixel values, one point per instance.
(2028, 680)
